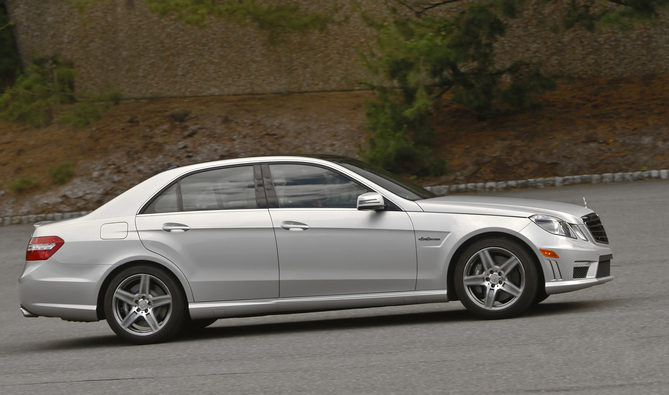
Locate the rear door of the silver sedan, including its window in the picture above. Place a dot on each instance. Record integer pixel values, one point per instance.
(216, 227)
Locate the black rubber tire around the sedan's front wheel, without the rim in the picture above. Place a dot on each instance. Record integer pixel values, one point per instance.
(531, 279)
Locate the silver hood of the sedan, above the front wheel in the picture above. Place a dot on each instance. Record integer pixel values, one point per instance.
(510, 207)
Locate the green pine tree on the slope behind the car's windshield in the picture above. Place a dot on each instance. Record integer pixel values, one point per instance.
(416, 60)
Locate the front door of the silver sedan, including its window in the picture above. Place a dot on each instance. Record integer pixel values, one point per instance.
(328, 247)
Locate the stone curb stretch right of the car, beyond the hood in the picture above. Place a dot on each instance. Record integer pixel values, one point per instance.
(442, 190)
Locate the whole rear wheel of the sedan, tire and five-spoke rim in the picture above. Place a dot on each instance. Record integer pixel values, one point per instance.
(144, 305)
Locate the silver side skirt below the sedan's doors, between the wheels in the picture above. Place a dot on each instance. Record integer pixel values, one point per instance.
(242, 308)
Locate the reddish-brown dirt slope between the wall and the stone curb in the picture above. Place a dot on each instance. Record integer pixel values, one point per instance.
(587, 127)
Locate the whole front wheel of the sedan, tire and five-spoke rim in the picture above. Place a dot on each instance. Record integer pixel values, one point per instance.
(496, 278)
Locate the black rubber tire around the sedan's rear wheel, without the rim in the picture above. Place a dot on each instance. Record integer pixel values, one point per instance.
(177, 316)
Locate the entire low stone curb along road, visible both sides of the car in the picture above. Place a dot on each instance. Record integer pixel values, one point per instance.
(437, 189)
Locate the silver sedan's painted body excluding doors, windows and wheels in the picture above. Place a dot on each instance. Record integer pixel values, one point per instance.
(71, 283)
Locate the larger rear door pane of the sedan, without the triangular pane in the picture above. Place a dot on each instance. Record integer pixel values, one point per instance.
(220, 189)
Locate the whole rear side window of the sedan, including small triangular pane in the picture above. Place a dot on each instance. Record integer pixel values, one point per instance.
(219, 189)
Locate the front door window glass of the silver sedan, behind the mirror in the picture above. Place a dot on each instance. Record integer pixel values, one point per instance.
(312, 186)
